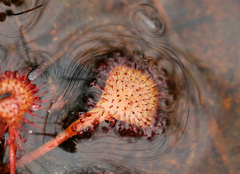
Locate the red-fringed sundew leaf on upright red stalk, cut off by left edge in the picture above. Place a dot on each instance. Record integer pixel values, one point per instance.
(17, 96)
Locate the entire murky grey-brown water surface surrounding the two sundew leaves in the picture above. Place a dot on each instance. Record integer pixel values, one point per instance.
(63, 41)
